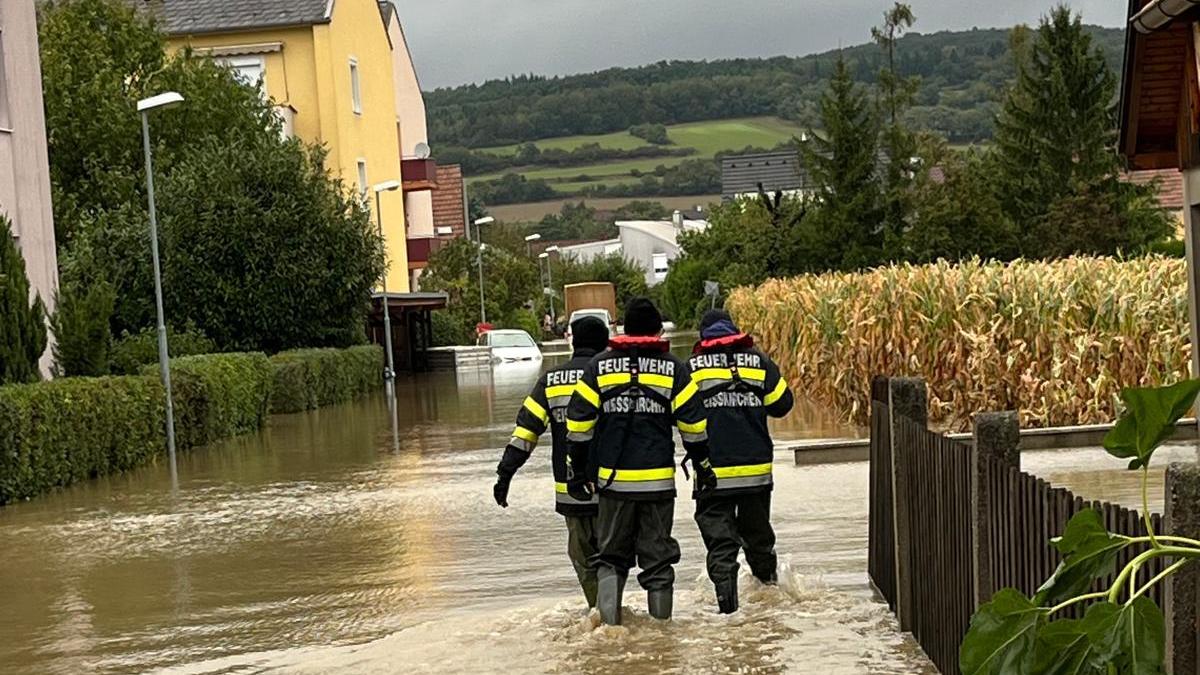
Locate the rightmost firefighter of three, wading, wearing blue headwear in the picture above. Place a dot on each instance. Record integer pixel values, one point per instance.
(740, 387)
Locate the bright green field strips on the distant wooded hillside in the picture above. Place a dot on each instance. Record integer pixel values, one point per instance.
(706, 139)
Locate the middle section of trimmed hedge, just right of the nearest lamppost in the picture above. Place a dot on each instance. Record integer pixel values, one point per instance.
(219, 396)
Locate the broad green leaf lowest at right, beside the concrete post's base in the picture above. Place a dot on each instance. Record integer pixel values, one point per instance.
(1132, 638)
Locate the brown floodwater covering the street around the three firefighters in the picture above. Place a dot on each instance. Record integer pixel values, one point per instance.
(363, 539)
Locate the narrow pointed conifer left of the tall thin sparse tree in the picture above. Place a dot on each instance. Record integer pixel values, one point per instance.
(842, 162)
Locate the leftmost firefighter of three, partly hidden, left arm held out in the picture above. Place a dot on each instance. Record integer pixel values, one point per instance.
(547, 407)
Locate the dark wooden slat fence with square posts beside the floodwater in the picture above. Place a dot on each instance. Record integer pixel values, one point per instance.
(952, 522)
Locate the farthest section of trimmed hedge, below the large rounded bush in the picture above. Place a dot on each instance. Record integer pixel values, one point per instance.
(310, 379)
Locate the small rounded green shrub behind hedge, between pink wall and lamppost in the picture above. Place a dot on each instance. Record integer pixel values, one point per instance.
(83, 343)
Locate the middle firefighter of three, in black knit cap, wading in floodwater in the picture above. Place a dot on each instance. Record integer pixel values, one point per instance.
(620, 427)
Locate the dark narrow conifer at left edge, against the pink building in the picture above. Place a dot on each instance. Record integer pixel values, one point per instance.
(22, 324)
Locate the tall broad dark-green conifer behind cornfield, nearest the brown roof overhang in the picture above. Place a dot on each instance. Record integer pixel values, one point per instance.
(1055, 151)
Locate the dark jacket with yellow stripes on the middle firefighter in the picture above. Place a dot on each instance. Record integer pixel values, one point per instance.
(622, 415)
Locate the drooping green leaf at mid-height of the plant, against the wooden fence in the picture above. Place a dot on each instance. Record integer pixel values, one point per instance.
(1090, 553)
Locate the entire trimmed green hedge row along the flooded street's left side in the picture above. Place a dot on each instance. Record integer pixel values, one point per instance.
(53, 434)
